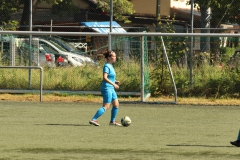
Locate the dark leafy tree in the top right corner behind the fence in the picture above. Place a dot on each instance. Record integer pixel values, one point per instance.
(221, 11)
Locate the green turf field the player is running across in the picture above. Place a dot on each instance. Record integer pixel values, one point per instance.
(60, 131)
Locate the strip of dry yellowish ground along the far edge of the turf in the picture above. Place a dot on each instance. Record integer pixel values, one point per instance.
(98, 99)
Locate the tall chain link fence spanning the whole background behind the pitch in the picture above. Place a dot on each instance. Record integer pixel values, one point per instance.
(202, 66)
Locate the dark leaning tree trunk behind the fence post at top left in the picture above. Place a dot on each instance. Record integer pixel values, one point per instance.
(24, 24)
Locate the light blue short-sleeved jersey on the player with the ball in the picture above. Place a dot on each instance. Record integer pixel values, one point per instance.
(108, 68)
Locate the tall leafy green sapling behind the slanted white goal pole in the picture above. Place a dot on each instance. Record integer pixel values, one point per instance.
(176, 50)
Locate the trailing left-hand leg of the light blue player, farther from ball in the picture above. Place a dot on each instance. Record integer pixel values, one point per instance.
(106, 104)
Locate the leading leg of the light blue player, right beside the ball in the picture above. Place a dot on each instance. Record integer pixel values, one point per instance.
(114, 110)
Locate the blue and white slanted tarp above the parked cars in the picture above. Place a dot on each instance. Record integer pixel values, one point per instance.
(104, 27)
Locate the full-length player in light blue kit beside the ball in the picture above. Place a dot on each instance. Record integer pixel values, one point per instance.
(109, 84)
